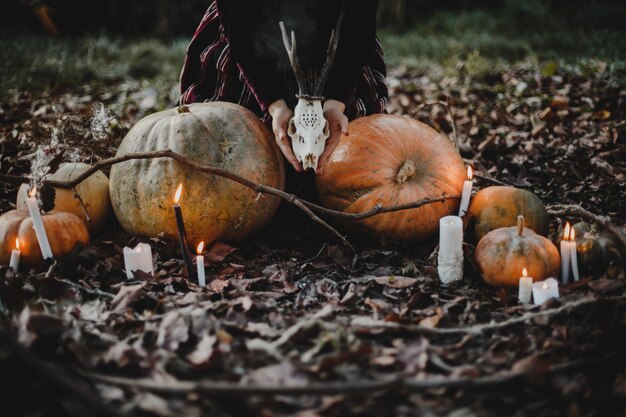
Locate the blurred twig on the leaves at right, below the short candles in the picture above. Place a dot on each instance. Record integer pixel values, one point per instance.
(478, 328)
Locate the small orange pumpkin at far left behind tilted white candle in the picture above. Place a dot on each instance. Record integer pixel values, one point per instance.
(64, 230)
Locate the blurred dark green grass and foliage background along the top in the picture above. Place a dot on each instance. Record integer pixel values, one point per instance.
(151, 35)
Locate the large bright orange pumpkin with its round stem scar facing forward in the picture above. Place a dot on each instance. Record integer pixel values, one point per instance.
(392, 160)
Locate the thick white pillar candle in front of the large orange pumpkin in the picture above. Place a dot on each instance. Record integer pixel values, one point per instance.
(450, 258)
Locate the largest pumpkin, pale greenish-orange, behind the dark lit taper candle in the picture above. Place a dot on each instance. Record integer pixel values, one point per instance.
(222, 135)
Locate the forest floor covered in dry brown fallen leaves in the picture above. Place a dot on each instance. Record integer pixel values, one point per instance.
(290, 323)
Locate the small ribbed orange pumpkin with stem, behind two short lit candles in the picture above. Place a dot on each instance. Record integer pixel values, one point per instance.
(503, 253)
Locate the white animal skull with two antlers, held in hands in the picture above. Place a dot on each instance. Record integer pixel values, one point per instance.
(308, 129)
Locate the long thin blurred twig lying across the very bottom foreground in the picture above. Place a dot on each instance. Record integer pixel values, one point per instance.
(396, 381)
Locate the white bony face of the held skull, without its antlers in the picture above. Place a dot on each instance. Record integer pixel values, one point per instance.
(308, 130)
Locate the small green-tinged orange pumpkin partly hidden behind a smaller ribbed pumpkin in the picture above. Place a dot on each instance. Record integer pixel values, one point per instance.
(494, 207)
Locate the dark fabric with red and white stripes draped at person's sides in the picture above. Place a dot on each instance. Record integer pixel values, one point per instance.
(209, 74)
